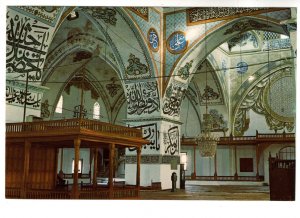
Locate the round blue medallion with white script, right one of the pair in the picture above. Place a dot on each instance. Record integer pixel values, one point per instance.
(177, 42)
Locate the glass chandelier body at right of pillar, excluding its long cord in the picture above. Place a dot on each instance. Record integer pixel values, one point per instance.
(206, 141)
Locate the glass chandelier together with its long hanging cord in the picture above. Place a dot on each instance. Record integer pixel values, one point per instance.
(206, 141)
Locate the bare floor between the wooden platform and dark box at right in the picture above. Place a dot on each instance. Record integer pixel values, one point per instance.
(210, 192)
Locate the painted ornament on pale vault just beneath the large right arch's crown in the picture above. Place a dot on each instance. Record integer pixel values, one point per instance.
(242, 40)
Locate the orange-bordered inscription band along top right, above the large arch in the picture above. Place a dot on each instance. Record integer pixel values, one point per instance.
(201, 15)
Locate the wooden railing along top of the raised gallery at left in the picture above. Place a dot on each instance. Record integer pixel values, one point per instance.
(72, 124)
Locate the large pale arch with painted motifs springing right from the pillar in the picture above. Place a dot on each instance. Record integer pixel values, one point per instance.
(194, 56)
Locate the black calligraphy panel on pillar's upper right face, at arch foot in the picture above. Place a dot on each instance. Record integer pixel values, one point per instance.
(174, 96)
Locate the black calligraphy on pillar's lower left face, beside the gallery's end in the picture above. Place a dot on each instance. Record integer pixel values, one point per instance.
(149, 133)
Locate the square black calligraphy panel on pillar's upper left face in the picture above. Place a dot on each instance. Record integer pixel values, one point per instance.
(142, 98)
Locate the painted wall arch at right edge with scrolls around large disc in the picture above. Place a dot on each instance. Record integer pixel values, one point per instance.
(272, 97)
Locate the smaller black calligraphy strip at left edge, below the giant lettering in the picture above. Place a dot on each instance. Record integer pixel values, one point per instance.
(17, 96)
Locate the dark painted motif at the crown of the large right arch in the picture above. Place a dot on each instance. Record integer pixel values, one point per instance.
(245, 25)
